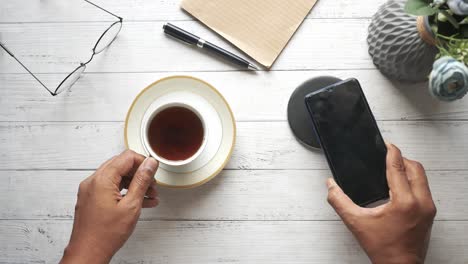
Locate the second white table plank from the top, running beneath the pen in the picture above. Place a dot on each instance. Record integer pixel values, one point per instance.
(143, 47)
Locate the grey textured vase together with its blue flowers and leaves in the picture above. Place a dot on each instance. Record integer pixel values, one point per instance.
(407, 36)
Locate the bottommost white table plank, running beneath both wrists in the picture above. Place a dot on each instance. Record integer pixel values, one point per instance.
(222, 242)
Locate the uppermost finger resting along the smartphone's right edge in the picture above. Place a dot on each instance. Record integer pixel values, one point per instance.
(396, 172)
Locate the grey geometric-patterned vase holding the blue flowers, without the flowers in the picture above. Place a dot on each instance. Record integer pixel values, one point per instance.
(396, 43)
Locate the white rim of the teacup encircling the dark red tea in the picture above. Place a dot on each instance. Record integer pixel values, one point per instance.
(157, 108)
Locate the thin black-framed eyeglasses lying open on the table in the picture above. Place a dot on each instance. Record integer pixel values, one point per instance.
(102, 43)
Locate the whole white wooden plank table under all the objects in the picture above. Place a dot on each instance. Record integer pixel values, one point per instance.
(269, 204)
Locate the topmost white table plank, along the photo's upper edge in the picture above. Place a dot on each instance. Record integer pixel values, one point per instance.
(15, 11)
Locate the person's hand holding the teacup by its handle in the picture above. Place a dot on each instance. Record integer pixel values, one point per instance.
(104, 219)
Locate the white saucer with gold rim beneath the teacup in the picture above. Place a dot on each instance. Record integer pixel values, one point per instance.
(220, 143)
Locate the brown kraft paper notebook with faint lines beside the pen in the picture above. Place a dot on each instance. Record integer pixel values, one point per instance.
(260, 28)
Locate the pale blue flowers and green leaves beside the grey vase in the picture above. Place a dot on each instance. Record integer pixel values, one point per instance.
(448, 20)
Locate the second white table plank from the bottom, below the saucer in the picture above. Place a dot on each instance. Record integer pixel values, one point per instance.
(274, 195)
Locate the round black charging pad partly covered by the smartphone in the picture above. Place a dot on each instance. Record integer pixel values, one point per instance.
(298, 116)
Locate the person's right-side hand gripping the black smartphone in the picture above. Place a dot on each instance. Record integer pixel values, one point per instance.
(398, 231)
